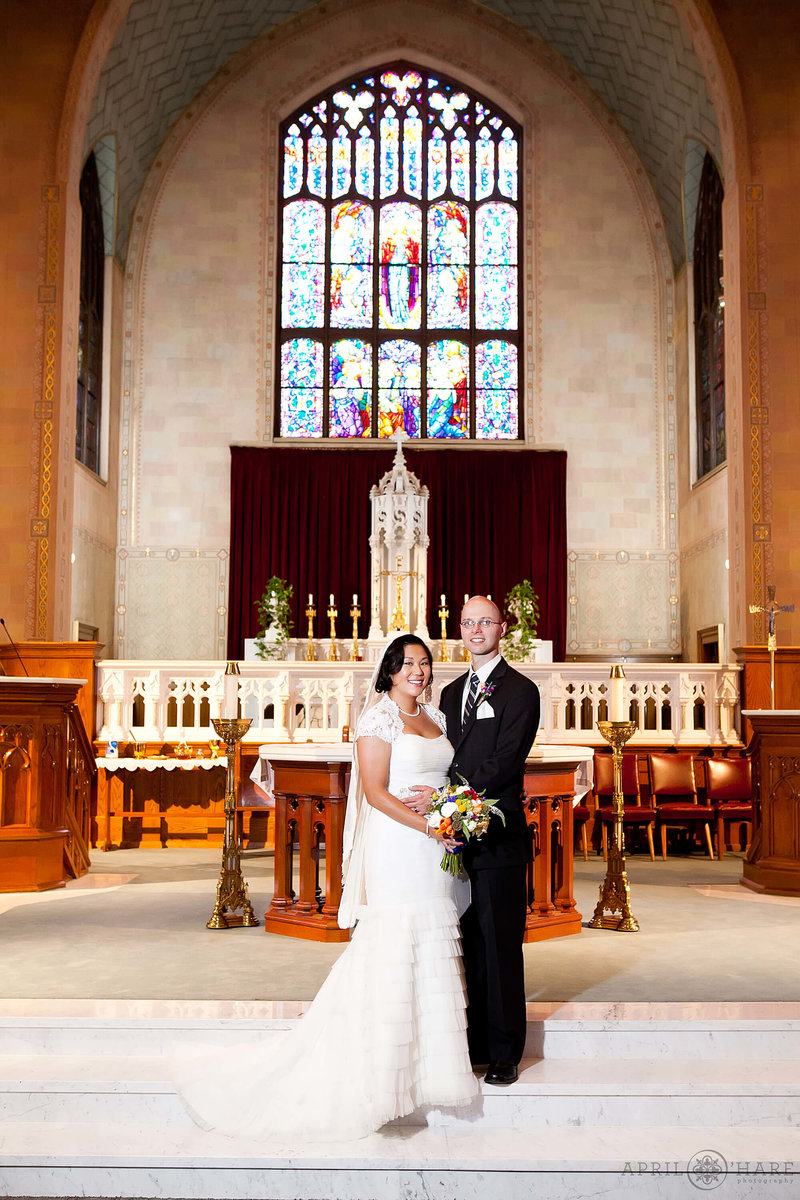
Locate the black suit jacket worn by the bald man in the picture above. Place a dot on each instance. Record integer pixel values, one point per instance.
(490, 754)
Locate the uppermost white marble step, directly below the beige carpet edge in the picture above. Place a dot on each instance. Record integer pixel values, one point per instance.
(552, 1039)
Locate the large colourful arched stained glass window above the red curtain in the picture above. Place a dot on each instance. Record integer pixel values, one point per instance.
(400, 262)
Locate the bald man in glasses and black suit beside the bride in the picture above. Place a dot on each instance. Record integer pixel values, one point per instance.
(492, 719)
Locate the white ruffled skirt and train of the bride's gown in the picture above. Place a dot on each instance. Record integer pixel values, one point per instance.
(387, 1033)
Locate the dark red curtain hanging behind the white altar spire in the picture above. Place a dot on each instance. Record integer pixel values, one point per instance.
(495, 518)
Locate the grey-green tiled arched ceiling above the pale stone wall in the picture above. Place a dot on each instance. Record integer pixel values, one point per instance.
(635, 55)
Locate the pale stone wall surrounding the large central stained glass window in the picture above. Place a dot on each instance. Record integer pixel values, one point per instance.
(201, 319)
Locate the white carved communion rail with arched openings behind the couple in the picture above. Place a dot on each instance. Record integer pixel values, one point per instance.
(682, 704)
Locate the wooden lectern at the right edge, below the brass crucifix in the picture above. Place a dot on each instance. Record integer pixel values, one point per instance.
(773, 862)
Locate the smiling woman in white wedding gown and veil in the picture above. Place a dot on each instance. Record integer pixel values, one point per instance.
(387, 1033)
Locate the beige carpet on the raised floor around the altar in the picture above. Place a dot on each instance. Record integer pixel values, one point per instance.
(135, 928)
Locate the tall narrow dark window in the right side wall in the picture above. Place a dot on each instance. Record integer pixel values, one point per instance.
(709, 322)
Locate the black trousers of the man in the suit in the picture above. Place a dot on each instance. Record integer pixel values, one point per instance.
(492, 932)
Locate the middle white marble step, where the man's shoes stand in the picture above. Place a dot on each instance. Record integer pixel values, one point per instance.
(61, 1090)
